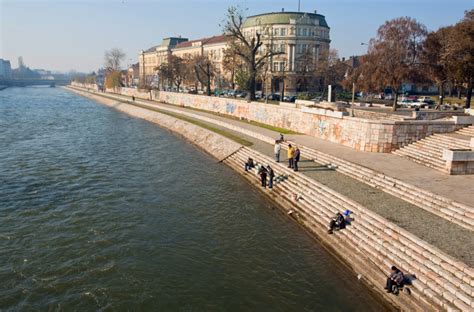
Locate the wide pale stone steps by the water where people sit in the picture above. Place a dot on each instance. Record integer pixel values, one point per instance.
(370, 244)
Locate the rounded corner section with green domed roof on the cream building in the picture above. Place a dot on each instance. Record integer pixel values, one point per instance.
(302, 38)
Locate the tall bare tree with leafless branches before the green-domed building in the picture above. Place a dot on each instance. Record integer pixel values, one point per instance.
(247, 47)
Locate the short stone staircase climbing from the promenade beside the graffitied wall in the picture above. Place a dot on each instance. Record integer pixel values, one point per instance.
(429, 151)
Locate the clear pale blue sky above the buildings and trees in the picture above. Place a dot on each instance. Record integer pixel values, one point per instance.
(64, 35)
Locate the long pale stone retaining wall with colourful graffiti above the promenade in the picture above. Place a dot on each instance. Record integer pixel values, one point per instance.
(362, 134)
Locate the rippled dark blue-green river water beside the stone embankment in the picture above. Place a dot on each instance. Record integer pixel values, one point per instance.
(101, 211)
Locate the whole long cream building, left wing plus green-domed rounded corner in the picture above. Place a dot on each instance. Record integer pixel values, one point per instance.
(301, 38)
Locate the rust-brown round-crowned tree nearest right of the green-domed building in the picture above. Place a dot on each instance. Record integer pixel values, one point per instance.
(394, 55)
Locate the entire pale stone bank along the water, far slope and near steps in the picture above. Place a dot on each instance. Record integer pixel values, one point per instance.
(314, 213)
